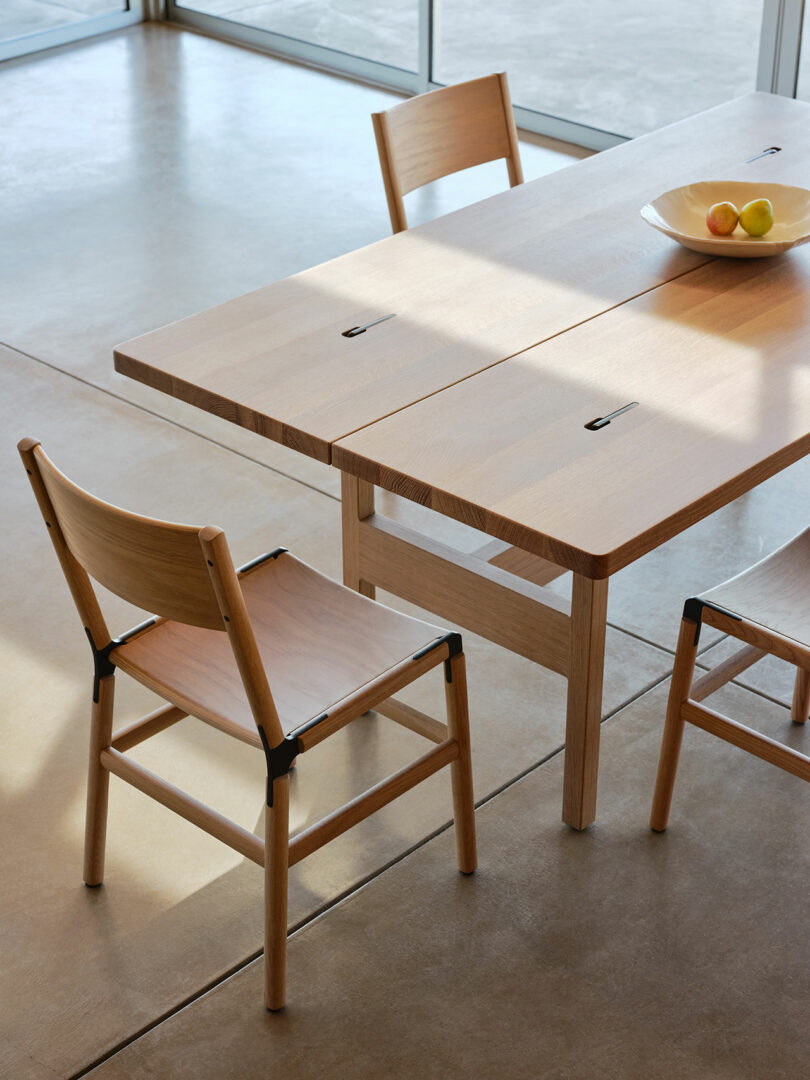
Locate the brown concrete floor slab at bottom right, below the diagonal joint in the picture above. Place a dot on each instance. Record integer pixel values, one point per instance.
(617, 953)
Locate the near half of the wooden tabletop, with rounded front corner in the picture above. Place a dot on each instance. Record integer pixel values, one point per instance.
(719, 364)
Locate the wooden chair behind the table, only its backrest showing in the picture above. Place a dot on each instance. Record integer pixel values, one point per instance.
(442, 132)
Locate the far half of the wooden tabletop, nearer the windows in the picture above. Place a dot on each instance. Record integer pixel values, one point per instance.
(468, 290)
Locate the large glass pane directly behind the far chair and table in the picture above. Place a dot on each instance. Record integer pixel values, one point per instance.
(624, 66)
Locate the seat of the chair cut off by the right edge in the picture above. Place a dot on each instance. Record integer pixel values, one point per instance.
(775, 593)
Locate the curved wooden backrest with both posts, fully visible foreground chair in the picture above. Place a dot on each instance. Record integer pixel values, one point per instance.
(177, 572)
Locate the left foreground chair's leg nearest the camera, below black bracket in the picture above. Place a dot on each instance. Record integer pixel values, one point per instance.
(277, 867)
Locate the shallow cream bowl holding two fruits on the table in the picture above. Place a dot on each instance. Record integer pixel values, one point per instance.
(682, 214)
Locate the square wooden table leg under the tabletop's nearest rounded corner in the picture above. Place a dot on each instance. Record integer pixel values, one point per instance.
(587, 660)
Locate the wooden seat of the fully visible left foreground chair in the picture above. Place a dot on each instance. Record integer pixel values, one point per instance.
(319, 641)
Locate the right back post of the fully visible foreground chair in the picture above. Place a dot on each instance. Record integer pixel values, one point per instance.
(240, 633)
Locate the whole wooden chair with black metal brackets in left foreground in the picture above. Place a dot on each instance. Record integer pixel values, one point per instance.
(220, 639)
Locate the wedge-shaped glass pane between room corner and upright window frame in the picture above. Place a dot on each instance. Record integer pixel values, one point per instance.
(386, 33)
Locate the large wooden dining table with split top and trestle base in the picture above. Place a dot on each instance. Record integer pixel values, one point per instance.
(542, 367)
